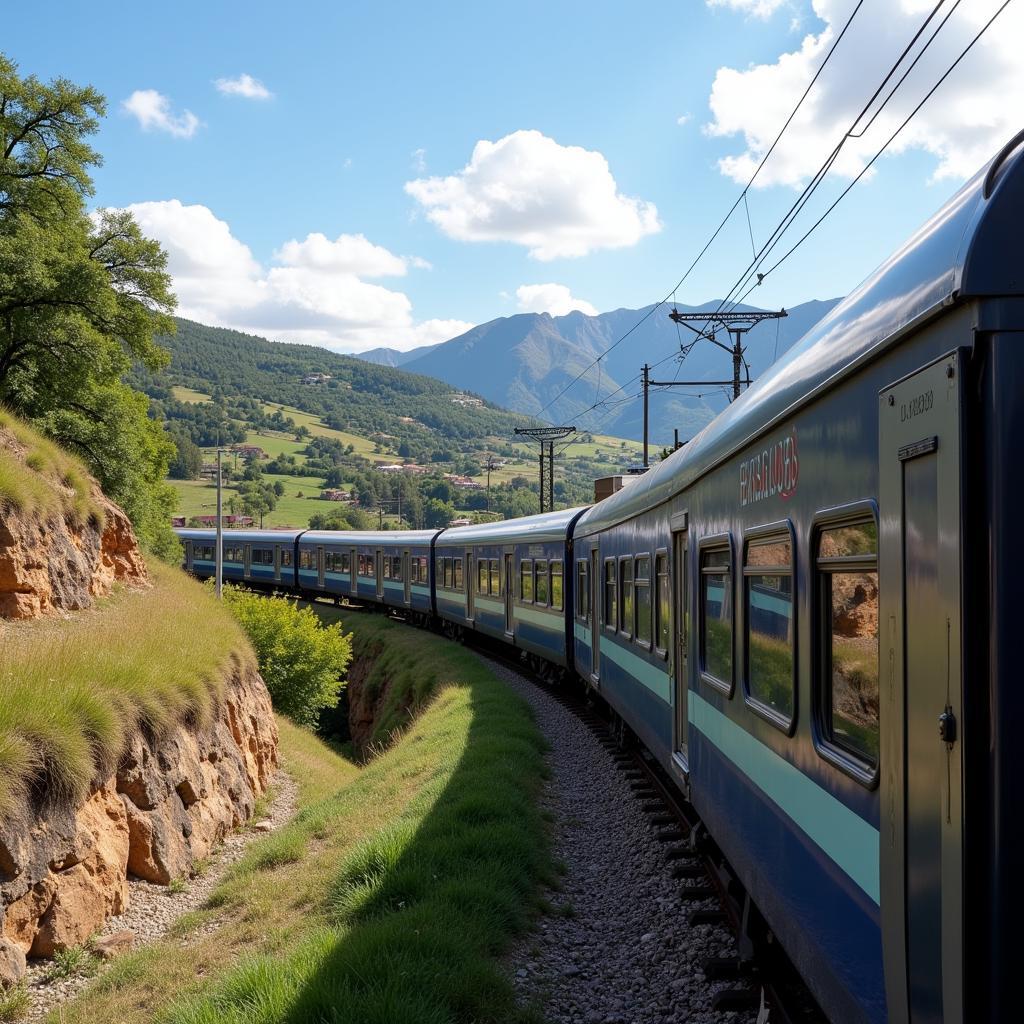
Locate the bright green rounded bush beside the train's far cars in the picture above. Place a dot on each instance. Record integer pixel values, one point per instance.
(302, 660)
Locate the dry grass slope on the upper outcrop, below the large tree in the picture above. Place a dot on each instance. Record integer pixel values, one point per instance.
(49, 481)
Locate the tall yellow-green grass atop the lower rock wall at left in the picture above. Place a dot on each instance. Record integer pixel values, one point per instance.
(74, 692)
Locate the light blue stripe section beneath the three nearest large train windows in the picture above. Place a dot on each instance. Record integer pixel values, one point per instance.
(847, 839)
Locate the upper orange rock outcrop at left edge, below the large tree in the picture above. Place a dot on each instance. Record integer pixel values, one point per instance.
(53, 562)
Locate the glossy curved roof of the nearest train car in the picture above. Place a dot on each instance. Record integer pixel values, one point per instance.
(970, 248)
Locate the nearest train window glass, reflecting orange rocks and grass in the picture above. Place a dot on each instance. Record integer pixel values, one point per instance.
(848, 586)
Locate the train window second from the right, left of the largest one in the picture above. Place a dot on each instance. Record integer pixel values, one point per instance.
(770, 620)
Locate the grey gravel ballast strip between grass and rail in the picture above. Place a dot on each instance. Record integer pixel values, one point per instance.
(618, 949)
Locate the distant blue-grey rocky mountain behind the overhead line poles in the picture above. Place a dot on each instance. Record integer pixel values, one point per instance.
(524, 362)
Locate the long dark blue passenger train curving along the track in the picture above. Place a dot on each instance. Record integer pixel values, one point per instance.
(808, 616)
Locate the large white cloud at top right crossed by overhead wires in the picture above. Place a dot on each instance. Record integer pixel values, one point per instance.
(974, 112)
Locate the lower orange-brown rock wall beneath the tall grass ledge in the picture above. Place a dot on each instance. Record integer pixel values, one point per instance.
(173, 799)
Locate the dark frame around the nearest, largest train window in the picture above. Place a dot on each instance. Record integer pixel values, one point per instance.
(847, 761)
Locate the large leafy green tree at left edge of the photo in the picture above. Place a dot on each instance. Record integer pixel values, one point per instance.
(82, 296)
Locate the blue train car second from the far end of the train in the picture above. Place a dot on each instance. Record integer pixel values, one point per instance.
(392, 568)
